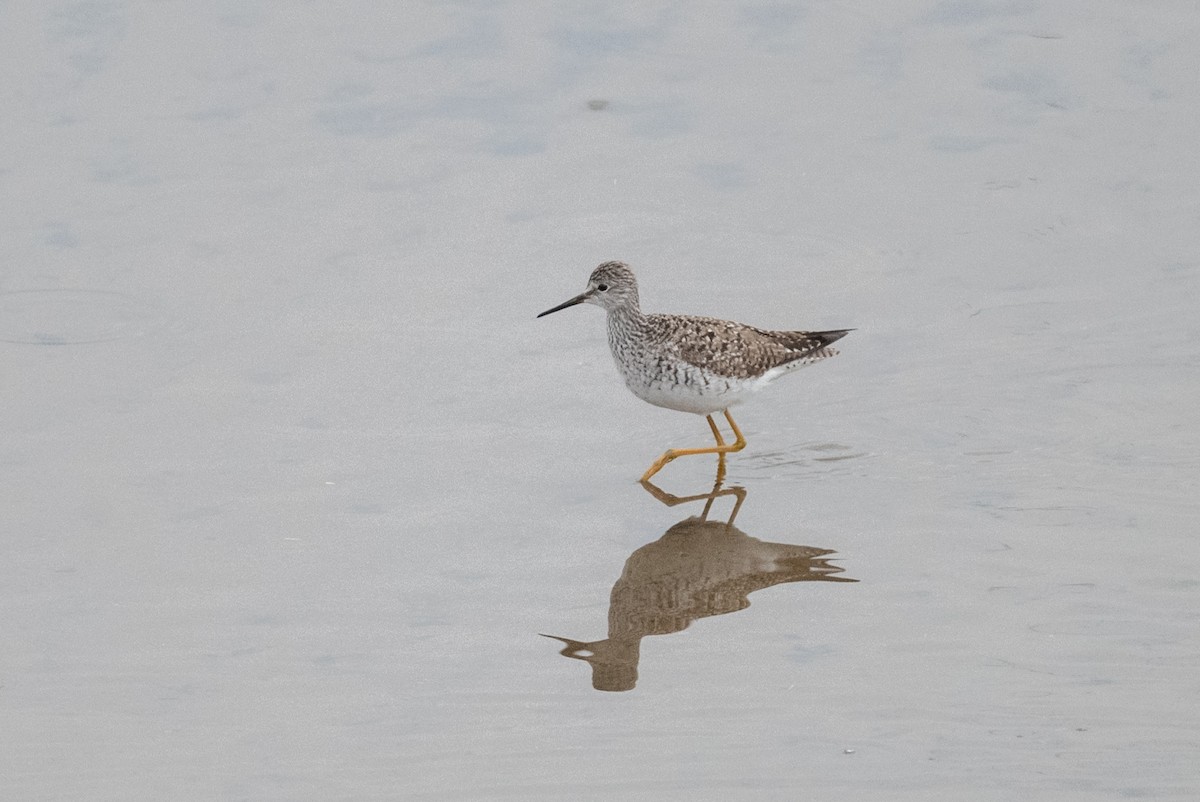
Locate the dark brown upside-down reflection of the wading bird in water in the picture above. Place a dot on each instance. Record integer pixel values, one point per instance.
(698, 568)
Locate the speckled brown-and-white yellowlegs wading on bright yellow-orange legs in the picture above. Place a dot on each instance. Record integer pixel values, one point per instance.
(694, 364)
